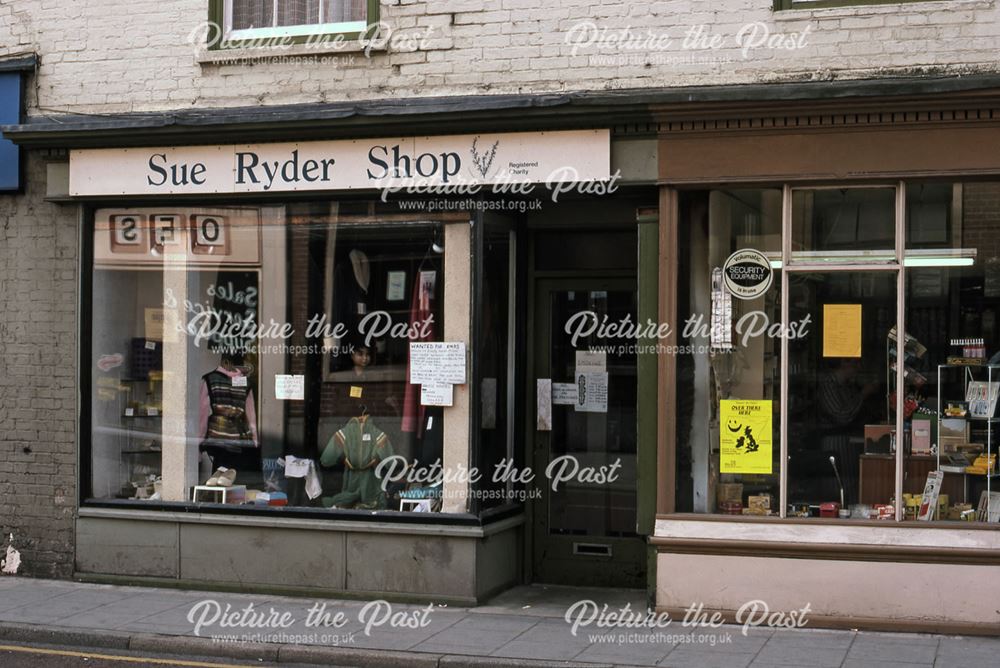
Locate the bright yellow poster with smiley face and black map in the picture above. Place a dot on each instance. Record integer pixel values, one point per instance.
(745, 439)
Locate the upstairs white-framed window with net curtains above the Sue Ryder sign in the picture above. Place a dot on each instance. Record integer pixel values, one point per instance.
(256, 19)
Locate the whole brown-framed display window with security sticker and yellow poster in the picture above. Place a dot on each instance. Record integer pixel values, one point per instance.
(858, 421)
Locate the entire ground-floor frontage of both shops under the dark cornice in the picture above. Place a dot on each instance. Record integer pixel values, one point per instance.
(746, 354)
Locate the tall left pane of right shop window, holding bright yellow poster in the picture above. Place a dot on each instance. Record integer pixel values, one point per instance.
(729, 366)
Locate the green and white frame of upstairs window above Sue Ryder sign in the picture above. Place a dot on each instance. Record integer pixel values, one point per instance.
(220, 18)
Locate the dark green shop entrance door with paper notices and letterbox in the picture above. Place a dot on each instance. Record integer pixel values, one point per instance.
(584, 530)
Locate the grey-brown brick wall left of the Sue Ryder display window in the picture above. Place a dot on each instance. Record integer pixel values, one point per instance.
(38, 375)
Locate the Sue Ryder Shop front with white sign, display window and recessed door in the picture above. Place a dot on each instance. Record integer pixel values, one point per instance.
(317, 367)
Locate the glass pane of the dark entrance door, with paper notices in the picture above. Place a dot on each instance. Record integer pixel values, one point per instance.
(595, 429)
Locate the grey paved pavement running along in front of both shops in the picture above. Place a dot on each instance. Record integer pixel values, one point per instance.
(525, 626)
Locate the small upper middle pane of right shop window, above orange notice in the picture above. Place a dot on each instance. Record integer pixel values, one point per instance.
(842, 225)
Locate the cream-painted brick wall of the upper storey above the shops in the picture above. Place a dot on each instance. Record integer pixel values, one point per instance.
(95, 58)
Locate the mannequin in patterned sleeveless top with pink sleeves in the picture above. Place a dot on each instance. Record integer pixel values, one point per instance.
(228, 417)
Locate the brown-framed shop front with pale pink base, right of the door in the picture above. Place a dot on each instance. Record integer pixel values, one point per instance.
(831, 438)
